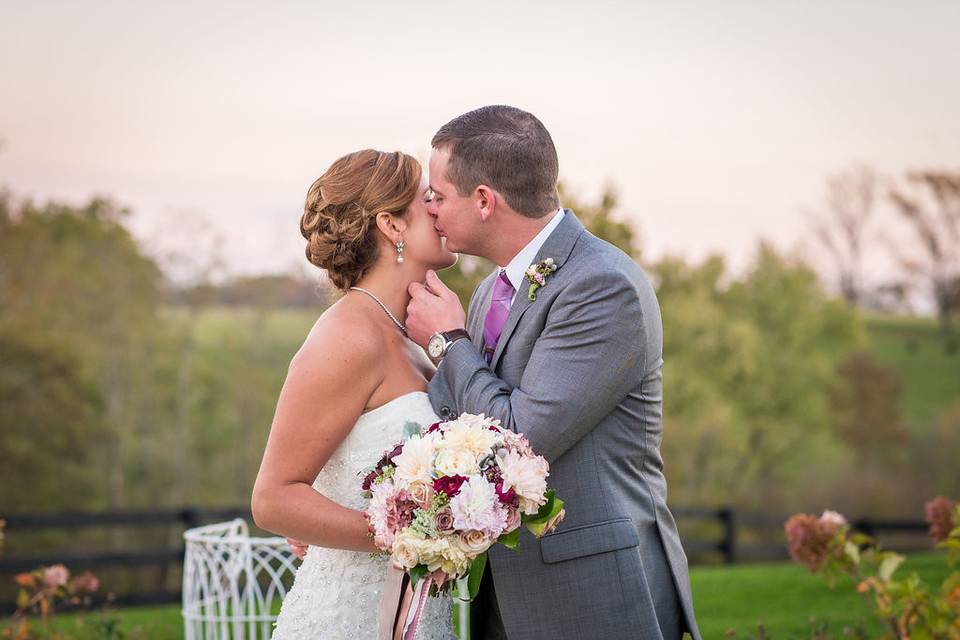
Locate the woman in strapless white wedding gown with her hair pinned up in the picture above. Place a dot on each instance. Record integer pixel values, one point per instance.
(350, 390)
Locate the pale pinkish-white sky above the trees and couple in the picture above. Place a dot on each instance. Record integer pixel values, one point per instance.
(717, 122)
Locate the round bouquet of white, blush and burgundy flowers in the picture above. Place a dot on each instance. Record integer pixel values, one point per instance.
(442, 497)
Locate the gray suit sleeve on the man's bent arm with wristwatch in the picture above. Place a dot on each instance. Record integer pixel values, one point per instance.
(589, 356)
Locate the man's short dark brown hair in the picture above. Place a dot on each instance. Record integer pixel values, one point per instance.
(507, 149)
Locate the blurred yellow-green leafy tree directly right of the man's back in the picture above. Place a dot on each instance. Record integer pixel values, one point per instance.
(747, 366)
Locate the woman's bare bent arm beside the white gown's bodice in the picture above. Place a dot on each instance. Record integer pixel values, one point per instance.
(328, 384)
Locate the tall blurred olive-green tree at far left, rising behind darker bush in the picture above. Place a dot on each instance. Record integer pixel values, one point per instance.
(76, 274)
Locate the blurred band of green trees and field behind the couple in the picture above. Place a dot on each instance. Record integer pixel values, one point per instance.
(122, 388)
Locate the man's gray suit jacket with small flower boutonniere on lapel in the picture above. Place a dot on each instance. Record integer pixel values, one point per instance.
(578, 372)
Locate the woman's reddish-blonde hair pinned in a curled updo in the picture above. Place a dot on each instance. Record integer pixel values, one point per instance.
(339, 215)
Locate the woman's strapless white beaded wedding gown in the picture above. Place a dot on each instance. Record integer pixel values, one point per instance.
(336, 593)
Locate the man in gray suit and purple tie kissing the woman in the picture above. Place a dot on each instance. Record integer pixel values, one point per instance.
(572, 360)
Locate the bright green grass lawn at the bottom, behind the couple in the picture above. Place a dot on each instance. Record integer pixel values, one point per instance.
(781, 596)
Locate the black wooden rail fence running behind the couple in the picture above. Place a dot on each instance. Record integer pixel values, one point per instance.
(710, 536)
